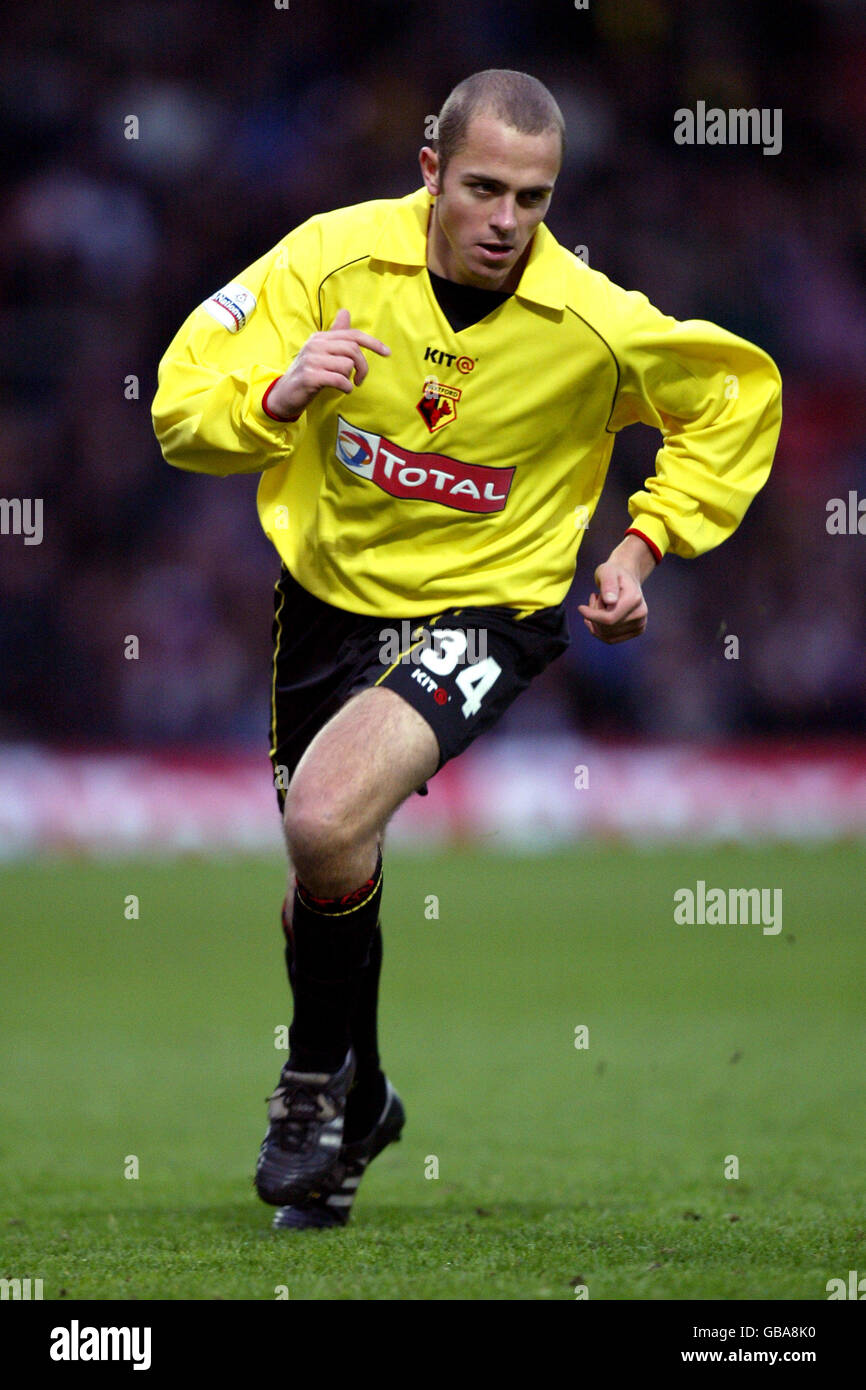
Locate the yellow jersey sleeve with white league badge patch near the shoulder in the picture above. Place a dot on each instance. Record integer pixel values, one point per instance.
(209, 414)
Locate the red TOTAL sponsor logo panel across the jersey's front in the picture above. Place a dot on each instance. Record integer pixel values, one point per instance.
(430, 477)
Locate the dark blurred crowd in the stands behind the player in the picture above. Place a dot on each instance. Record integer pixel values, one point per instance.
(255, 117)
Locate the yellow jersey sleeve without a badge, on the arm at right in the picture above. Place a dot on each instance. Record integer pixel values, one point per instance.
(717, 400)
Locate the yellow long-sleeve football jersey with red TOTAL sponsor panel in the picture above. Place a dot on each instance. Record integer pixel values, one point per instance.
(466, 466)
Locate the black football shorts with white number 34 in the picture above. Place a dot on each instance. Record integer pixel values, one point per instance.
(459, 668)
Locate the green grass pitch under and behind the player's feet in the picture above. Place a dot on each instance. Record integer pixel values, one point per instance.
(154, 1039)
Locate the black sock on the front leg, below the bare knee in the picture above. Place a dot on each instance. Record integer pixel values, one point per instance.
(332, 949)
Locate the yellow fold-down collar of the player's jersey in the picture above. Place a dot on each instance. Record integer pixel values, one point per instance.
(402, 241)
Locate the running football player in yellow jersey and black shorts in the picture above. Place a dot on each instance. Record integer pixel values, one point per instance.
(432, 389)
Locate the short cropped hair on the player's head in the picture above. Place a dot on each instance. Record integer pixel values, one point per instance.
(515, 98)
